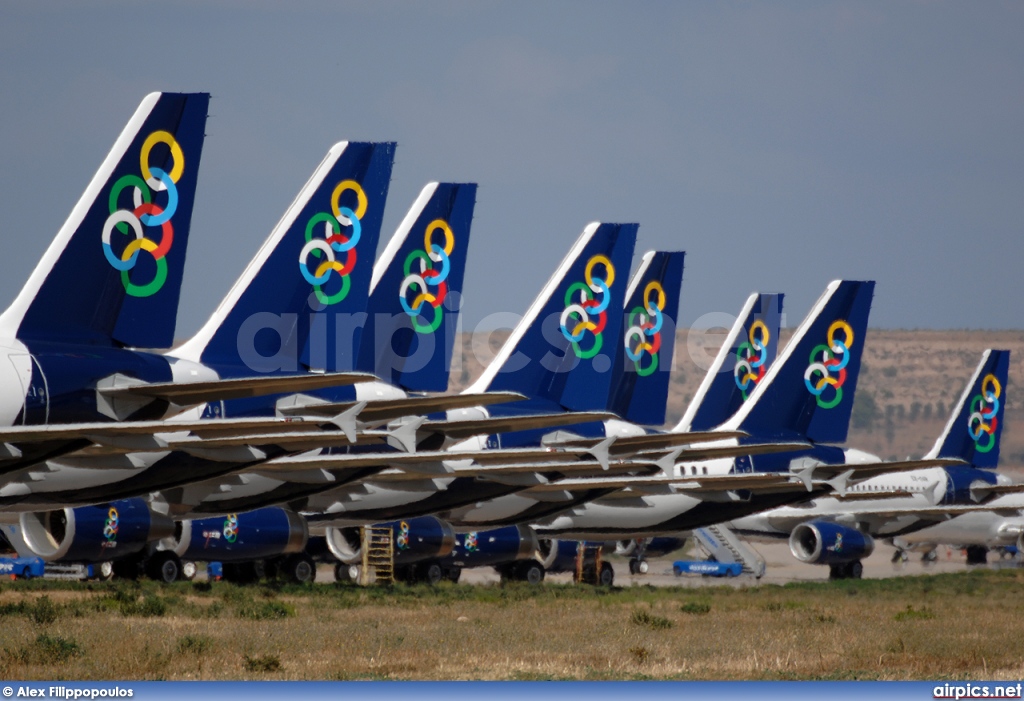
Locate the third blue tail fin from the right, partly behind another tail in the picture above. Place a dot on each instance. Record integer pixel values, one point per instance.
(740, 367)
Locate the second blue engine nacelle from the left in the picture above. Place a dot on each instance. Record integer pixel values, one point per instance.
(239, 538)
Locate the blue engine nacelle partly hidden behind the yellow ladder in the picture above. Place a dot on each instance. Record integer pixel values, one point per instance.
(415, 540)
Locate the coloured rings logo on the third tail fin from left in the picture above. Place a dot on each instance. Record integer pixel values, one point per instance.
(426, 284)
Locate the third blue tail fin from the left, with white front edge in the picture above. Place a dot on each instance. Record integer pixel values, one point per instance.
(417, 292)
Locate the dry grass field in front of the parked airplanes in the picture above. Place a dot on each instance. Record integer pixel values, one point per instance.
(955, 627)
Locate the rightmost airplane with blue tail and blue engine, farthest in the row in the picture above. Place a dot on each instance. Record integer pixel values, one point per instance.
(840, 531)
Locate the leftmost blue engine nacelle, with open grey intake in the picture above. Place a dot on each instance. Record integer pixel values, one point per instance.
(97, 534)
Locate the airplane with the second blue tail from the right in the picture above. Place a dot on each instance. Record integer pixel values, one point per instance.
(806, 396)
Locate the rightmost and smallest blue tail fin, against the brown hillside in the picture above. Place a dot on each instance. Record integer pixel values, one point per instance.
(976, 423)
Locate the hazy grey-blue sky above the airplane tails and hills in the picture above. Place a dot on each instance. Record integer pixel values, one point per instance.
(781, 145)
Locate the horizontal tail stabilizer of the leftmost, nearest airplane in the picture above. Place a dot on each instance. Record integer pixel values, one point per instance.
(185, 395)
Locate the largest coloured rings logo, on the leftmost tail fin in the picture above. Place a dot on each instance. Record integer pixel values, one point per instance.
(145, 213)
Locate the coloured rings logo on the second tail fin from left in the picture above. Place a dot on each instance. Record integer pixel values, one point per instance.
(334, 244)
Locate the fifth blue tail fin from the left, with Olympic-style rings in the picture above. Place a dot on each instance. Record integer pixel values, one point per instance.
(644, 360)
